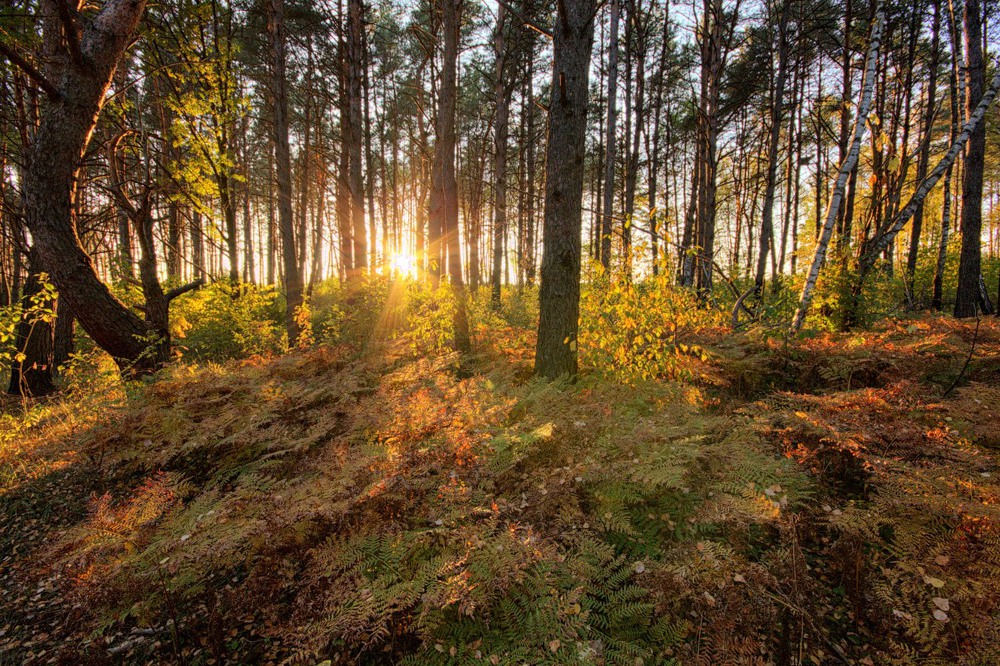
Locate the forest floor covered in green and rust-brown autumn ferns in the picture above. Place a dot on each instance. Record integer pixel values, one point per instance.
(830, 500)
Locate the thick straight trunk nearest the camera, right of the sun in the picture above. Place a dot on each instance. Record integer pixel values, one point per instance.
(559, 297)
